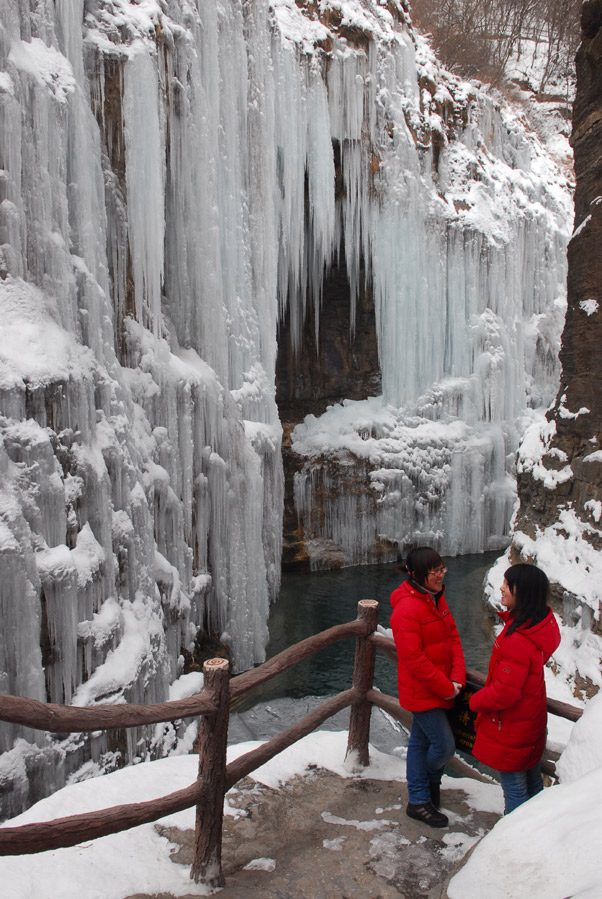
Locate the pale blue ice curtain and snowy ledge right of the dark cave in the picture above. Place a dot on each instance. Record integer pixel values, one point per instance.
(465, 240)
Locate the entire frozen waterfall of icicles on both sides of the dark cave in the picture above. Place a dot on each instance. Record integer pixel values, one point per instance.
(167, 188)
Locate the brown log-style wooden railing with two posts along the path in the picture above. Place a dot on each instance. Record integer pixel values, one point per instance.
(215, 777)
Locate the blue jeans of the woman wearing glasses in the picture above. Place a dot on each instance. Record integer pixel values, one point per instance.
(430, 746)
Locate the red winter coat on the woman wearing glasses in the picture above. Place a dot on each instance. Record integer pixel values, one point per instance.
(429, 651)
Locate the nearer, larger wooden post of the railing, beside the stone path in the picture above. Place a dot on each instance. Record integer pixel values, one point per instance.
(213, 733)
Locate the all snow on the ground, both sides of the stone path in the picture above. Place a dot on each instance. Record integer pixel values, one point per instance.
(546, 849)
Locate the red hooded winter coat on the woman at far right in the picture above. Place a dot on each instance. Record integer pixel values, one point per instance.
(511, 727)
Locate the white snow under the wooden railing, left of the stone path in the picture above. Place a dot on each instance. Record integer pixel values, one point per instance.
(139, 859)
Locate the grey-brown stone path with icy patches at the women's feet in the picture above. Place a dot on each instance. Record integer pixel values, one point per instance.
(326, 837)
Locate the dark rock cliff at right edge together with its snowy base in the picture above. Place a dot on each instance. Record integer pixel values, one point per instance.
(558, 524)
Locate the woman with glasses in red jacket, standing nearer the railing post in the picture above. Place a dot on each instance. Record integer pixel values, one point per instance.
(430, 674)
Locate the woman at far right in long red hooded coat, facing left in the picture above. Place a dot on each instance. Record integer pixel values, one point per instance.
(511, 725)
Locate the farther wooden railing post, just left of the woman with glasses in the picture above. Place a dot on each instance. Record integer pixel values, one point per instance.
(363, 680)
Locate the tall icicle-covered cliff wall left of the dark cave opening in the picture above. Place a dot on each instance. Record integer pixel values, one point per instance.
(141, 495)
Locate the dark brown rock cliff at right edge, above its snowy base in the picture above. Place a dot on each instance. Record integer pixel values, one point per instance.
(569, 473)
